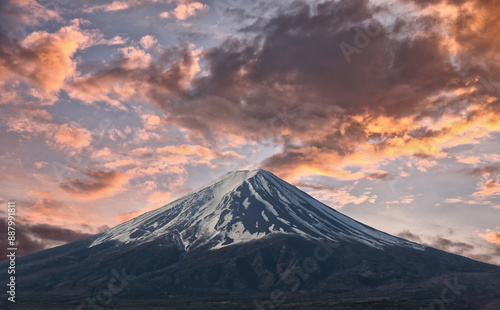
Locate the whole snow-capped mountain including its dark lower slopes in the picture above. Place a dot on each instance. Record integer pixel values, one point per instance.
(249, 240)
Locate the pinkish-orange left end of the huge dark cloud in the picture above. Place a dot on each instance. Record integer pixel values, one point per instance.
(157, 77)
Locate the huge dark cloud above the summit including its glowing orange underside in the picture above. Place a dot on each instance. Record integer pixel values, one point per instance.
(378, 107)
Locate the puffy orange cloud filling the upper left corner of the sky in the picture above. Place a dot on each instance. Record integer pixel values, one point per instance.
(36, 65)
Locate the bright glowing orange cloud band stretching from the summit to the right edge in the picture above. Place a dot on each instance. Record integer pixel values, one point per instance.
(397, 137)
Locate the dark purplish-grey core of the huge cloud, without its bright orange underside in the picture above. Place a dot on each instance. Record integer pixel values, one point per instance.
(295, 60)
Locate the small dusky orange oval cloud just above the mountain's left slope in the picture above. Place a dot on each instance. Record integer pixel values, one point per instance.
(98, 184)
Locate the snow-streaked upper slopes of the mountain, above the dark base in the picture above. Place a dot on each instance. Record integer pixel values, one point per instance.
(243, 206)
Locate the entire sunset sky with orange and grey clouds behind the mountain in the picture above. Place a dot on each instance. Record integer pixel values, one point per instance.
(387, 111)
